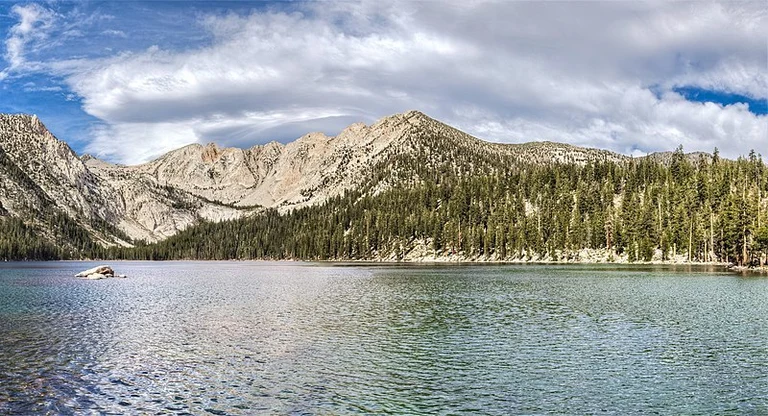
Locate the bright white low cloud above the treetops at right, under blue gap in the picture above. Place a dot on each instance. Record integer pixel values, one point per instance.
(640, 123)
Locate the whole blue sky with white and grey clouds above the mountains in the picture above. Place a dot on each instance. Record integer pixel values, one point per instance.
(128, 81)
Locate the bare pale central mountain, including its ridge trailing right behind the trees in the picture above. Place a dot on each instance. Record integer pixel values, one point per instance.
(315, 166)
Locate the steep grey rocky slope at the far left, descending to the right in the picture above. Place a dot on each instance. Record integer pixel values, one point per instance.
(42, 180)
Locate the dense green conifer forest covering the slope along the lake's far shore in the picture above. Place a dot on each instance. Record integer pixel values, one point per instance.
(448, 202)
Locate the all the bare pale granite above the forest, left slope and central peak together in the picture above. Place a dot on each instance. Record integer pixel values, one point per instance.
(116, 204)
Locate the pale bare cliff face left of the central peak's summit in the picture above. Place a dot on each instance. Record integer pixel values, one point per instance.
(305, 171)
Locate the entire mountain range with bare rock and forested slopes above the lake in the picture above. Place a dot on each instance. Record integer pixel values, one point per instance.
(388, 190)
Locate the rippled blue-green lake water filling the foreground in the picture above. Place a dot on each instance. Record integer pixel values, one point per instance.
(291, 338)
